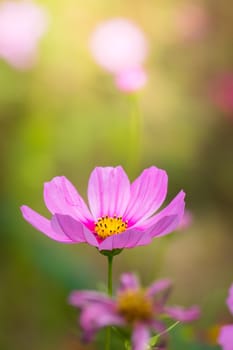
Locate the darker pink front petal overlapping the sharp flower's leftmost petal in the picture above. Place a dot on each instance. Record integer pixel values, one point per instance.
(75, 230)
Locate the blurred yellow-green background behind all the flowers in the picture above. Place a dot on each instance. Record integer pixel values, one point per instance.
(65, 116)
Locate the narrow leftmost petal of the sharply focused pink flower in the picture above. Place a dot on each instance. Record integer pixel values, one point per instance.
(44, 225)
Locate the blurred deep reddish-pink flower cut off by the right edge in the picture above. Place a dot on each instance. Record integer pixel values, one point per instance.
(221, 92)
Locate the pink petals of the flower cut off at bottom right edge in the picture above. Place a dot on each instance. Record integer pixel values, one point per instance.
(225, 338)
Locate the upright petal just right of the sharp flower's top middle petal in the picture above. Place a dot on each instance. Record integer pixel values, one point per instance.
(148, 192)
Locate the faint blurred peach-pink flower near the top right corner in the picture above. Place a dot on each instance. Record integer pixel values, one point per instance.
(191, 21)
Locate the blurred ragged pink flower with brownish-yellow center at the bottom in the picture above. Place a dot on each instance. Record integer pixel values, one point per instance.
(142, 310)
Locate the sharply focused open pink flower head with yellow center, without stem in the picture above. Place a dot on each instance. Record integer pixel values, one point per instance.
(121, 214)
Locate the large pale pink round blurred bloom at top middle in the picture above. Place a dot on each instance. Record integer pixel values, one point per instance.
(118, 45)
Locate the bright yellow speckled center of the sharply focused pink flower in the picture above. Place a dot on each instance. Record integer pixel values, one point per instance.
(108, 226)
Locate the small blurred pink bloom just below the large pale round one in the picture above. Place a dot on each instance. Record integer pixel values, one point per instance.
(131, 80)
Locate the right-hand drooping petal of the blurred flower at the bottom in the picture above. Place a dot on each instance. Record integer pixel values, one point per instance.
(181, 314)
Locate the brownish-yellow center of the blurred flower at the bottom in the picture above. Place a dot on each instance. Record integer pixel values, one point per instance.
(135, 305)
